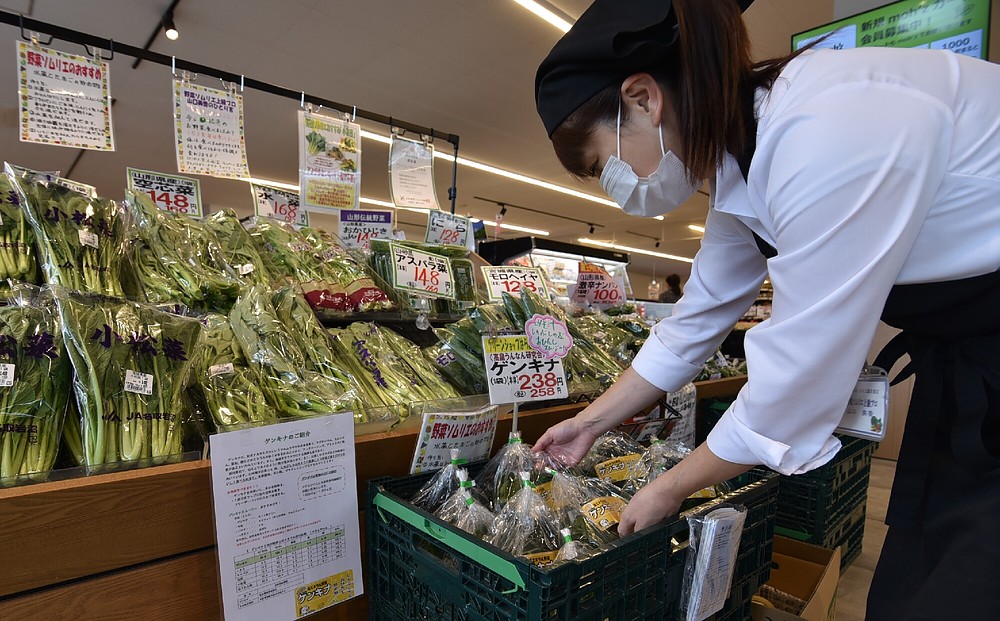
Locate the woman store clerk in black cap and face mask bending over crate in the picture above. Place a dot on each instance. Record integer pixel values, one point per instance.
(866, 184)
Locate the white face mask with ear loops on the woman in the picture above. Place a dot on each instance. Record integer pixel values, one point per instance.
(657, 194)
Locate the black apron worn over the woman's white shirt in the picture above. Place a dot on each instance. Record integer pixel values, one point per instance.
(941, 554)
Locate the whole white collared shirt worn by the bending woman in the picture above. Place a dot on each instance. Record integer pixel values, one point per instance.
(873, 167)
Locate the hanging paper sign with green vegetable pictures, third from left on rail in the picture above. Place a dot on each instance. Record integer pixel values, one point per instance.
(329, 163)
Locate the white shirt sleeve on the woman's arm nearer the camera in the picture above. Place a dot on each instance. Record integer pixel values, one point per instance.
(848, 178)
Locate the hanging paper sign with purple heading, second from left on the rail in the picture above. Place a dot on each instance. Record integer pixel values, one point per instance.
(209, 131)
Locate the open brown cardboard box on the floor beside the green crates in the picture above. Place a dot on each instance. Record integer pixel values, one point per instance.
(807, 572)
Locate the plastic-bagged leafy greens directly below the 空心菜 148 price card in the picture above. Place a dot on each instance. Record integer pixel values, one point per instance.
(173, 262)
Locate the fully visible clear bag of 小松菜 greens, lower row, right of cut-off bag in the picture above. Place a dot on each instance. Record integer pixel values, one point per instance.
(132, 365)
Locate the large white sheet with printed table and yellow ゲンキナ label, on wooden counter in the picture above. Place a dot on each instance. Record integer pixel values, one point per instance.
(286, 518)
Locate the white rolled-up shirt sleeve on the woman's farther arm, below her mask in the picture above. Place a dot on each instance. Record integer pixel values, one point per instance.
(725, 279)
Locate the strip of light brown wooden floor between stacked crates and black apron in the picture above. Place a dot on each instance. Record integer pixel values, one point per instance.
(853, 590)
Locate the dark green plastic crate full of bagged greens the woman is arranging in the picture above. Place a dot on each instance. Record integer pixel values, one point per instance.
(422, 568)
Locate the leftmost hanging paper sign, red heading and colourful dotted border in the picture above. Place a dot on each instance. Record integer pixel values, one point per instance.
(65, 99)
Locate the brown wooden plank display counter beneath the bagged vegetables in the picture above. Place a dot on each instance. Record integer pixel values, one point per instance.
(140, 544)
